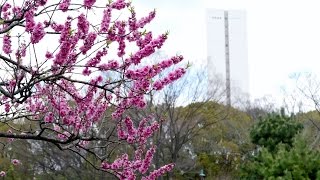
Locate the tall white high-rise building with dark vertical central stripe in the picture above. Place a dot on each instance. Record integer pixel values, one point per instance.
(227, 51)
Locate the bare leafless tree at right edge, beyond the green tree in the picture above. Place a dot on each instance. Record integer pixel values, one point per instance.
(304, 101)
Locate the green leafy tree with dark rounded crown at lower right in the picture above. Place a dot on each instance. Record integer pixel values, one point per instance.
(282, 155)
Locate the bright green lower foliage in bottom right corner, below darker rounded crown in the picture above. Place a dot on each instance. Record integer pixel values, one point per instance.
(299, 162)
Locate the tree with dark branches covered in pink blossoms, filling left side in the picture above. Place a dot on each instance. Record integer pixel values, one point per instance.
(69, 74)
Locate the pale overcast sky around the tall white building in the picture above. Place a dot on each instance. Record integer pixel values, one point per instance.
(283, 36)
